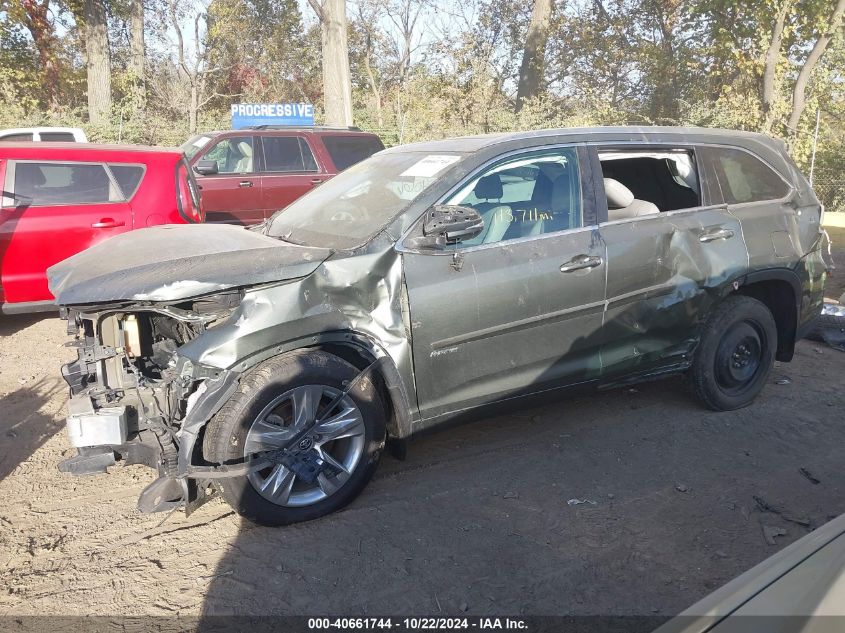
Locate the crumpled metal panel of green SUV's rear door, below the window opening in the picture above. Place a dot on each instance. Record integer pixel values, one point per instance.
(664, 272)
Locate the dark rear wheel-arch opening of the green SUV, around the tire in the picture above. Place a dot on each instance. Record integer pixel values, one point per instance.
(779, 289)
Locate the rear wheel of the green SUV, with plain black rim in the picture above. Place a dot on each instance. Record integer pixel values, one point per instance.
(735, 354)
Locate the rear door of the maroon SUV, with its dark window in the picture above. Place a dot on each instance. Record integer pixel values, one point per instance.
(288, 170)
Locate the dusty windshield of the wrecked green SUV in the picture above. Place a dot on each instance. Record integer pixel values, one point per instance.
(352, 207)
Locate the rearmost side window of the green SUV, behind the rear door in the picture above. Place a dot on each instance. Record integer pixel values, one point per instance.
(744, 178)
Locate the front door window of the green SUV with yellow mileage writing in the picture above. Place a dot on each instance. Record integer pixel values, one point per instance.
(530, 195)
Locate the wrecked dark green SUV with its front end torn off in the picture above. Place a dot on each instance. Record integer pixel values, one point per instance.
(427, 283)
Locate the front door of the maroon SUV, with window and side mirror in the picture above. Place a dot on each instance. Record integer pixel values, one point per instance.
(233, 194)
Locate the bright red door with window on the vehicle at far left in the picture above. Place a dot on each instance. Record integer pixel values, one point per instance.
(52, 210)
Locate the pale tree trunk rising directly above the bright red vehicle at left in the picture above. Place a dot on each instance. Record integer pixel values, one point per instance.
(95, 33)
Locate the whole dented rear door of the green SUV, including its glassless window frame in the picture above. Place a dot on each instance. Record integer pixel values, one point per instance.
(664, 267)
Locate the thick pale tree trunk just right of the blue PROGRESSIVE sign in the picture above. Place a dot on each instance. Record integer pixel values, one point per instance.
(337, 83)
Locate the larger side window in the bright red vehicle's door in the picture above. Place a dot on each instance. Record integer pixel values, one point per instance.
(38, 184)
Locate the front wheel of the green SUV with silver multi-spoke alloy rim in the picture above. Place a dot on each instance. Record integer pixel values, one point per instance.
(322, 447)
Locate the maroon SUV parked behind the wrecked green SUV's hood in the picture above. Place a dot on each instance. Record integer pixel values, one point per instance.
(247, 175)
